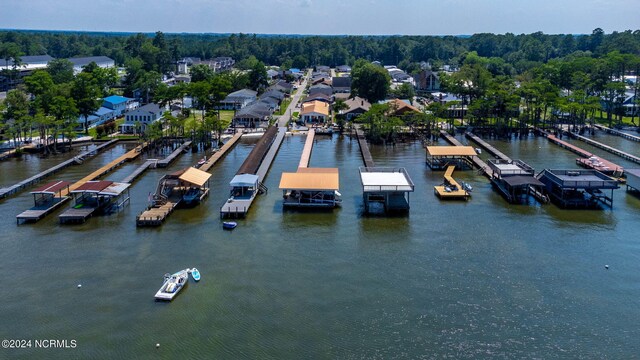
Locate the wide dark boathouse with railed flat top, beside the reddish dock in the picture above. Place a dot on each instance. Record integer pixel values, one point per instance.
(578, 188)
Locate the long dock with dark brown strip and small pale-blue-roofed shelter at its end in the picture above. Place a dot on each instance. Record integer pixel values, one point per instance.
(247, 183)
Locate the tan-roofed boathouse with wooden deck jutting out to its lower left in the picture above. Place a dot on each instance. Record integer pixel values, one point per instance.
(182, 188)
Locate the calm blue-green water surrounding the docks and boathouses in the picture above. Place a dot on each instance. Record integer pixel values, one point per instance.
(452, 279)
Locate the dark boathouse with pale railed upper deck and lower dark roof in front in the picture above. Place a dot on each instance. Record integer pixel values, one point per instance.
(516, 180)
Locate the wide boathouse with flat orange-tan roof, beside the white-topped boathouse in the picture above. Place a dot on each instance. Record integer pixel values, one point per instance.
(311, 188)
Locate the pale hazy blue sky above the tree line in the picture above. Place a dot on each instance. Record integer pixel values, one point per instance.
(325, 17)
